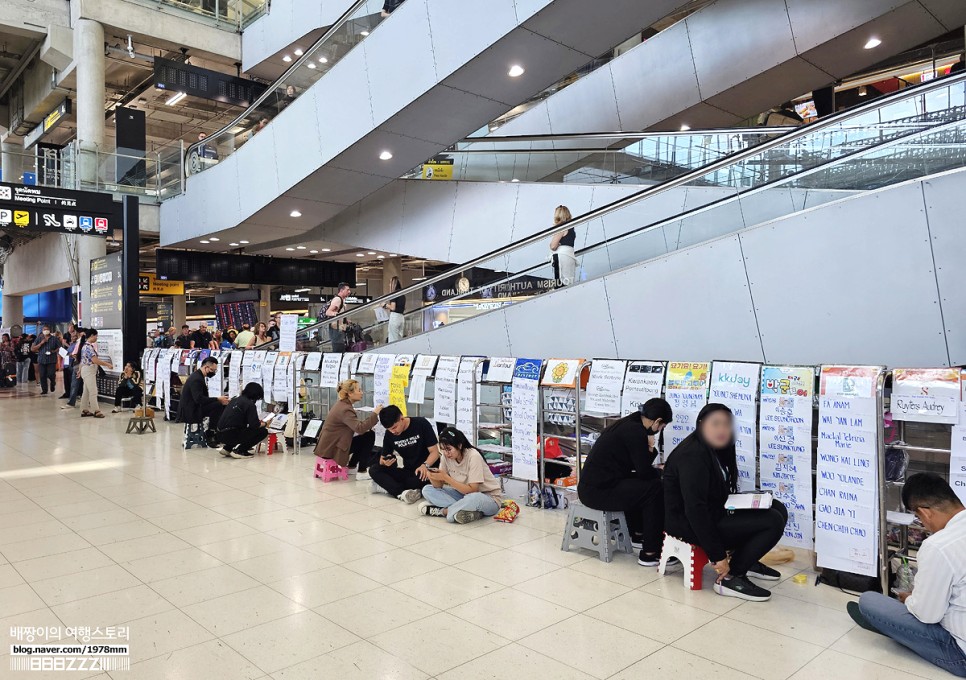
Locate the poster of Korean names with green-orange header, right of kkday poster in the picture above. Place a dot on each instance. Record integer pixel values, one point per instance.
(785, 444)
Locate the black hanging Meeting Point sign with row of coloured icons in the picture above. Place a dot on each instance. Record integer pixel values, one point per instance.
(33, 208)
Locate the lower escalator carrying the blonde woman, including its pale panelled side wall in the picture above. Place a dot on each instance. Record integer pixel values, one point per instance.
(711, 278)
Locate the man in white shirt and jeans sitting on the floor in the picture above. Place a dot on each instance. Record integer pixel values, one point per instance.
(931, 620)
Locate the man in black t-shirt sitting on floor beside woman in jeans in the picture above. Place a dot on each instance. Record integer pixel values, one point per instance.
(414, 439)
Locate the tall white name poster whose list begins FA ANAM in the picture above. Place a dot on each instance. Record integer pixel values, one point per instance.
(847, 486)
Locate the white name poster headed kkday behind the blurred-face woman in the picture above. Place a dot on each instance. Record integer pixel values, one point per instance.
(736, 386)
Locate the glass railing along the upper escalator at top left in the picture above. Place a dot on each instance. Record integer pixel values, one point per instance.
(346, 33)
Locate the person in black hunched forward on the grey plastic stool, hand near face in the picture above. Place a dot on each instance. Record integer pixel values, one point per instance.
(619, 475)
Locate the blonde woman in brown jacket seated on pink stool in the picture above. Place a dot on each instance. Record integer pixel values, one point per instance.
(345, 438)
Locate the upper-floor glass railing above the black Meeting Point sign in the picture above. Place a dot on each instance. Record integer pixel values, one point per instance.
(154, 176)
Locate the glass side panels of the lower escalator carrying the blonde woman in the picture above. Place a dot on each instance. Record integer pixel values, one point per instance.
(914, 133)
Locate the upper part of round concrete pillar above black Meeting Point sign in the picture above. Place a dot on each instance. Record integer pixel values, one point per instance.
(89, 55)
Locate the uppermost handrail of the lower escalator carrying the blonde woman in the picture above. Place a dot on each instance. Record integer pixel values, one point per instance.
(801, 131)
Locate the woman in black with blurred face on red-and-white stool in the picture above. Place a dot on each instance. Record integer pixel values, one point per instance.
(698, 476)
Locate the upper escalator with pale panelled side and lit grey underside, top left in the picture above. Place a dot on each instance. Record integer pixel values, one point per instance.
(374, 97)
